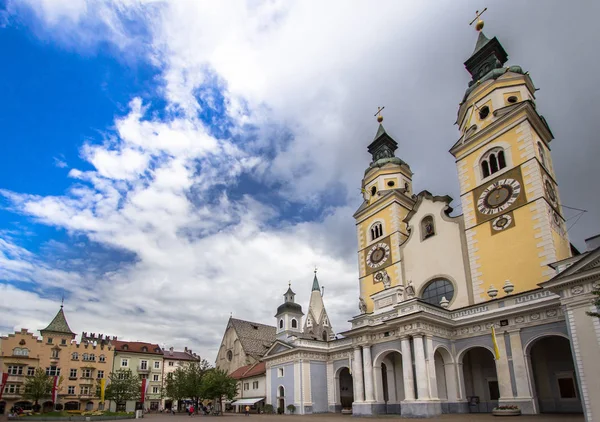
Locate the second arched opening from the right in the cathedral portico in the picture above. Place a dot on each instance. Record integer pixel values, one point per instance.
(480, 380)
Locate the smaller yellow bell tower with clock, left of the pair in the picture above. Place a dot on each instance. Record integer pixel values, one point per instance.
(387, 193)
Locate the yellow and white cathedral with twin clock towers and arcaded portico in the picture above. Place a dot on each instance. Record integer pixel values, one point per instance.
(456, 314)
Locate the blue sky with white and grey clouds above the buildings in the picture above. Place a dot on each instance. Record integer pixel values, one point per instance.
(167, 164)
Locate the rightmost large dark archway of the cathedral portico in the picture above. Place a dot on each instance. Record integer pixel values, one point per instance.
(554, 381)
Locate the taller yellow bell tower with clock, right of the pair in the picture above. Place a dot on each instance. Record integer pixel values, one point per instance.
(514, 222)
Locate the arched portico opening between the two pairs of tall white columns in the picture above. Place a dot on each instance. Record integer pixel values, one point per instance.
(389, 381)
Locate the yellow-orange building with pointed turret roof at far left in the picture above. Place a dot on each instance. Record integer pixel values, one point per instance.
(79, 365)
